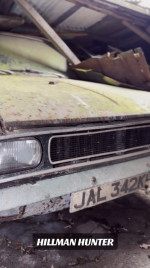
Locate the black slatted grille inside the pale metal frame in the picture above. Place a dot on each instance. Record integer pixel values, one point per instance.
(63, 148)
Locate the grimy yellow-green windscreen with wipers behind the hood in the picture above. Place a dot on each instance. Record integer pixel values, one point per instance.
(29, 55)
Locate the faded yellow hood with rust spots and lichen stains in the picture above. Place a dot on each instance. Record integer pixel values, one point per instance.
(34, 100)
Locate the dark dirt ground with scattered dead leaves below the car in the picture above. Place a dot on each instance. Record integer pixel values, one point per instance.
(128, 216)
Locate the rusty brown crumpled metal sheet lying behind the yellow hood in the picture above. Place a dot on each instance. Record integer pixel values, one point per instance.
(128, 69)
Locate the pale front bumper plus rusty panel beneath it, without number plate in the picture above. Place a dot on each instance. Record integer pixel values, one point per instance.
(34, 197)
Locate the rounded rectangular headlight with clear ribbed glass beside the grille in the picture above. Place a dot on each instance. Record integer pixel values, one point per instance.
(19, 154)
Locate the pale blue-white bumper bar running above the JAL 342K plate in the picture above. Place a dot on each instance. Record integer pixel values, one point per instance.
(47, 189)
